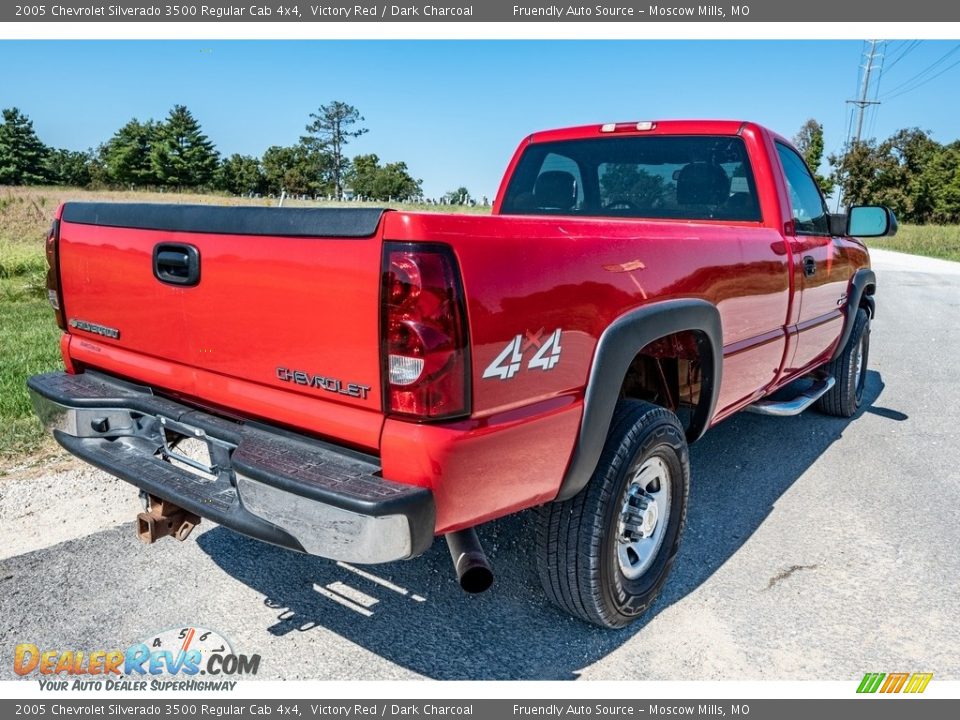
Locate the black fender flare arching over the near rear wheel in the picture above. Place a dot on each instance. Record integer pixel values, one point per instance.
(617, 347)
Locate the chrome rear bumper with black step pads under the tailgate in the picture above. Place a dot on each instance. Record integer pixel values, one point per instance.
(287, 490)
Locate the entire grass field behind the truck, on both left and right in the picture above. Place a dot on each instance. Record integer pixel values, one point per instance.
(28, 334)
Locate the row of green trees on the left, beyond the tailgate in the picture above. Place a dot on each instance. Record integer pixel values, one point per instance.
(176, 154)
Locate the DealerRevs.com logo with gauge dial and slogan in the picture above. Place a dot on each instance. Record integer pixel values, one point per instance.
(189, 658)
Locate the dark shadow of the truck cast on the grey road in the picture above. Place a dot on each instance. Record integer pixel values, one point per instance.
(413, 614)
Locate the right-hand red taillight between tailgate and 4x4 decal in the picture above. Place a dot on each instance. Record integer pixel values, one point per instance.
(424, 333)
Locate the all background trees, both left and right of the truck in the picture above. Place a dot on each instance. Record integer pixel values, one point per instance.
(910, 172)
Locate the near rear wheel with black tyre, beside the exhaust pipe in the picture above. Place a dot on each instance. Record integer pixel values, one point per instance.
(604, 554)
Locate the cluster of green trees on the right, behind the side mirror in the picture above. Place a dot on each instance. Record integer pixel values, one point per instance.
(909, 172)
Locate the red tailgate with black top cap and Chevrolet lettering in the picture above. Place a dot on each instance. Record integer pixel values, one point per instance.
(285, 299)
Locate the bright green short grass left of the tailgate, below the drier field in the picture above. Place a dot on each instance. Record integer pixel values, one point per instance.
(28, 345)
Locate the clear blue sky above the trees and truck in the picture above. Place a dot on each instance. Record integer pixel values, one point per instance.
(455, 110)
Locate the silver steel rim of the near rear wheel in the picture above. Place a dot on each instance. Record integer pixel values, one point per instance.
(646, 497)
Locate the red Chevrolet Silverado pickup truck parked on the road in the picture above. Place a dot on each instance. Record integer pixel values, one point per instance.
(352, 383)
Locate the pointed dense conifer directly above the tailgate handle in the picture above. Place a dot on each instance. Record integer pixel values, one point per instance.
(181, 155)
